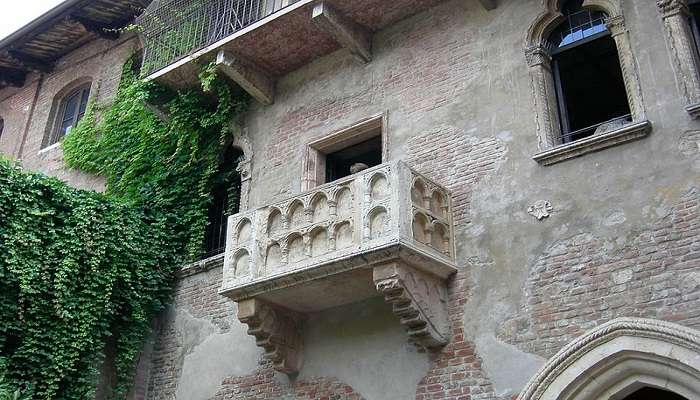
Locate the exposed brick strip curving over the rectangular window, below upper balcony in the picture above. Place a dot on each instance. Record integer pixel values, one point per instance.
(426, 68)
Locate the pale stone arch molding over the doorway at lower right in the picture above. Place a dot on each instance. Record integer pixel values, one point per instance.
(619, 357)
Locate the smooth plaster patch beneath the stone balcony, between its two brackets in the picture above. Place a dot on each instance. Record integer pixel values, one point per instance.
(365, 346)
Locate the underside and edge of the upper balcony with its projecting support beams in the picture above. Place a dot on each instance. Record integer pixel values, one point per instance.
(291, 34)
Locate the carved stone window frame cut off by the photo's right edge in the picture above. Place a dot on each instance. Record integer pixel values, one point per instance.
(675, 15)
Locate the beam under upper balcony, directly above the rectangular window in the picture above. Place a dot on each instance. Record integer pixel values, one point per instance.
(346, 32)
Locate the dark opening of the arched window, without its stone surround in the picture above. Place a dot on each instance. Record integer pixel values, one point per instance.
(590, 89)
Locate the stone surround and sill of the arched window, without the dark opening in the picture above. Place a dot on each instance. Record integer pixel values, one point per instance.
(538, 57)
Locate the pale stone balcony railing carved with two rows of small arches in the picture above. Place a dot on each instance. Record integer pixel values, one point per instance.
(340, 226)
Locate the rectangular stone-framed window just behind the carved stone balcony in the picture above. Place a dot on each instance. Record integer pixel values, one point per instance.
(339, 154)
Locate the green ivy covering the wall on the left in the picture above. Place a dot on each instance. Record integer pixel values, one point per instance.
(80, 270)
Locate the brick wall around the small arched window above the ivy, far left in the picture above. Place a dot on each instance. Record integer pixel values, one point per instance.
(99, 62)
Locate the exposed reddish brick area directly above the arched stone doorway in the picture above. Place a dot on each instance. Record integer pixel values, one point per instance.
(583, 281)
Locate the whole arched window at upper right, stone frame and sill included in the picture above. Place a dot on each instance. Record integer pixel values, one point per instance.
(586, 86)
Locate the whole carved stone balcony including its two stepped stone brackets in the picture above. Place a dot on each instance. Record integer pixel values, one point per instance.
(385, 231)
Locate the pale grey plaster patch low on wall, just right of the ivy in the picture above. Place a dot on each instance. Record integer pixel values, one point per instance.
(209, 356)
